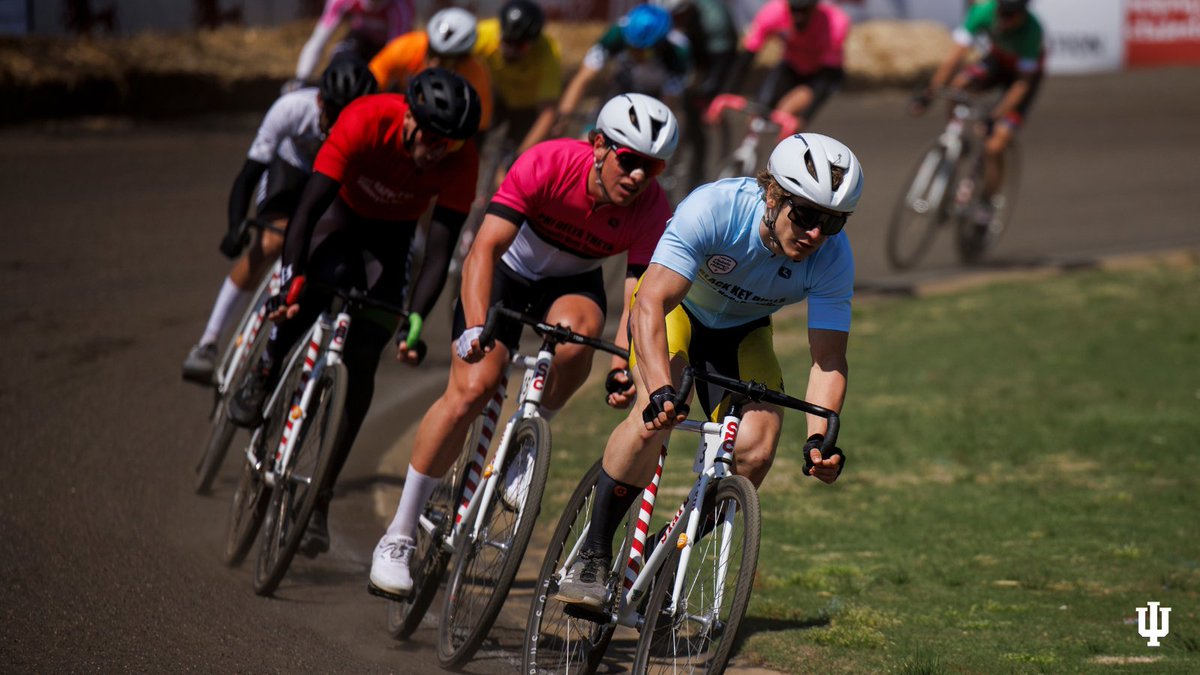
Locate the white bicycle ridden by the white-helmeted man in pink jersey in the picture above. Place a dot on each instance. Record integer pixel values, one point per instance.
(482, 516)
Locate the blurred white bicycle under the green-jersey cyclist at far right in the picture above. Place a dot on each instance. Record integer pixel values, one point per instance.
(947, 188)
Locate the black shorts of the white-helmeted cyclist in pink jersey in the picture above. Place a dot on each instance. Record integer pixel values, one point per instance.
(532, 298)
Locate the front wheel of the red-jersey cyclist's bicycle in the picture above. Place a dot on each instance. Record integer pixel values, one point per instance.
(299, 486)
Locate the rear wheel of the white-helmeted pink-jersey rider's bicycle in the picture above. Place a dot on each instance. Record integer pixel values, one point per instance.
(431, 557)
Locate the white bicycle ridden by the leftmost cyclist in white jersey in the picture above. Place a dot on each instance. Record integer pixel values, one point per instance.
(245, 348)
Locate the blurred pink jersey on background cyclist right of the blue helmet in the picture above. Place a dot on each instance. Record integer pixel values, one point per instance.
(819, 46)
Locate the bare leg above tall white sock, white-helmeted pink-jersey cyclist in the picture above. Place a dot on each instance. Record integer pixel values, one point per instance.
(445, 427)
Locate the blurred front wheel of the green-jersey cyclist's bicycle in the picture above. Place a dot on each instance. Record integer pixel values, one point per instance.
(920, 211)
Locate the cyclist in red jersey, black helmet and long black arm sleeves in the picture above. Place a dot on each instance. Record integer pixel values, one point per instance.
(386, 160)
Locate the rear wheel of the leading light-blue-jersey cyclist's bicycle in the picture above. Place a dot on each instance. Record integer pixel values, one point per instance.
(559, 637)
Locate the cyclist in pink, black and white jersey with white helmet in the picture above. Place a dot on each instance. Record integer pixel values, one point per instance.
(563, 208)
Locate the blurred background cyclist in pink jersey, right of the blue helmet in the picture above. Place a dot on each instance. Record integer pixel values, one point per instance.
(814, 35)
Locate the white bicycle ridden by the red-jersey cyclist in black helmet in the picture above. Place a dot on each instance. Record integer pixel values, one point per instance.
(290, 458)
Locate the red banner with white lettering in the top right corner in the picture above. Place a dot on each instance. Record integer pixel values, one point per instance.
(1162, 32)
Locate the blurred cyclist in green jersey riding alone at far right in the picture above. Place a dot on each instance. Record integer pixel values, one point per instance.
(1015, 59)
